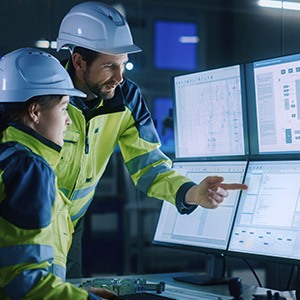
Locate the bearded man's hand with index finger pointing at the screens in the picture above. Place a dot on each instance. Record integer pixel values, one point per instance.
(210, 192)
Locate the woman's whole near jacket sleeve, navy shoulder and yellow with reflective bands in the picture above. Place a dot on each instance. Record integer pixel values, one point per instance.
(26, 237)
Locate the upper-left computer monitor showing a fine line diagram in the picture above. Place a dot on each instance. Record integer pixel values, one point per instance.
(210, 114)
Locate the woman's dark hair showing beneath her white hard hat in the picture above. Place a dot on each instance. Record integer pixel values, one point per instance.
(16, 112)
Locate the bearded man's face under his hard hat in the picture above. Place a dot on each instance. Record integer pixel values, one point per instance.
(105, 74)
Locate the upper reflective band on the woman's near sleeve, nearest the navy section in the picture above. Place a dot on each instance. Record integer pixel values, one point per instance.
(25, 253)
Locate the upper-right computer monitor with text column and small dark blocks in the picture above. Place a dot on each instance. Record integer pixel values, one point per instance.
(273, 92)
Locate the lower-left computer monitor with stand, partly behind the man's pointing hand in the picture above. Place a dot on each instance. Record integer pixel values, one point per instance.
(204, 230)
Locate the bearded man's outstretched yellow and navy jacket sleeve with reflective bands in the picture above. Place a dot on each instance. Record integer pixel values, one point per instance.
(150, 169)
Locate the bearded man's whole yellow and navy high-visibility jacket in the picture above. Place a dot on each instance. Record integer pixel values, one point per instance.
(91, 139)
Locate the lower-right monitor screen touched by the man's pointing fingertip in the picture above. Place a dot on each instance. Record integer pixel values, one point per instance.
(268, 217)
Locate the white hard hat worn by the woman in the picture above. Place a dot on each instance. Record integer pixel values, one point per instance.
(28, 72)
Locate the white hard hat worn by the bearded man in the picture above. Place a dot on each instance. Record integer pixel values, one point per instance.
(98, 27)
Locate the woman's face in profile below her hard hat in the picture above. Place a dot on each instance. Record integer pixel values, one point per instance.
(52, 122)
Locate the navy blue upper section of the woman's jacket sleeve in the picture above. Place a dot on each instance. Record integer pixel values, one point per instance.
(29, 193)
